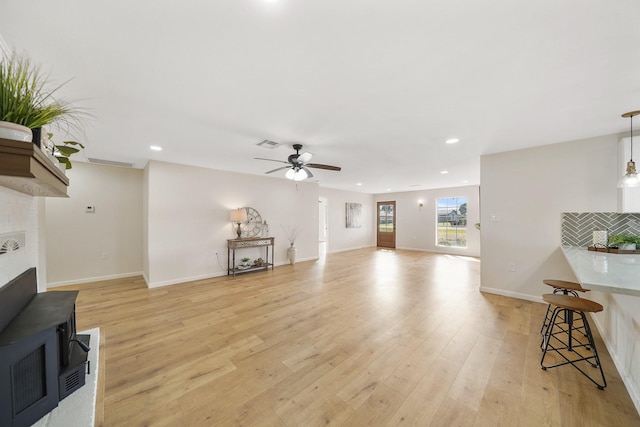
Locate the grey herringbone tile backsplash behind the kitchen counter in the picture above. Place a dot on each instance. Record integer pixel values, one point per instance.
(577, 228)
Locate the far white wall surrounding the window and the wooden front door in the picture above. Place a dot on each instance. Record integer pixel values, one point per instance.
(416, 226)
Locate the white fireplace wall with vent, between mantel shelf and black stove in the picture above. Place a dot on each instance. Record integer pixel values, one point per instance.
(19, 217)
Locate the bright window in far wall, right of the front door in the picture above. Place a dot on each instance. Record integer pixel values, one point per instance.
(452, 222)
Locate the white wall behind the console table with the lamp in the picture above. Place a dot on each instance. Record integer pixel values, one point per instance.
(188, 219)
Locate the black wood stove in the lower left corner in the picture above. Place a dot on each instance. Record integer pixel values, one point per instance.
(42, 359)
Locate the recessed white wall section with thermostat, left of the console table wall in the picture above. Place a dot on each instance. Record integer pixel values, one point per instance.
(105, 244)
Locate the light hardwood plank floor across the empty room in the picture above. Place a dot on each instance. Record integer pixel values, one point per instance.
(367, 337)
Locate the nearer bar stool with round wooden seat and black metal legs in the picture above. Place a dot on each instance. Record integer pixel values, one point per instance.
(560, 338)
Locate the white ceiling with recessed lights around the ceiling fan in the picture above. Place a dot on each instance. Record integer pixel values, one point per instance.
(373, 86)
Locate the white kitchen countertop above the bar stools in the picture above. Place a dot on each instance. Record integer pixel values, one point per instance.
(605, 272)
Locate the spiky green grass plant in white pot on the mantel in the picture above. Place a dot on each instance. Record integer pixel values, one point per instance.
(26, 96)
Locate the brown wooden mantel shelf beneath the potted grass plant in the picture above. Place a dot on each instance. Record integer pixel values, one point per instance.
(25, 168)
